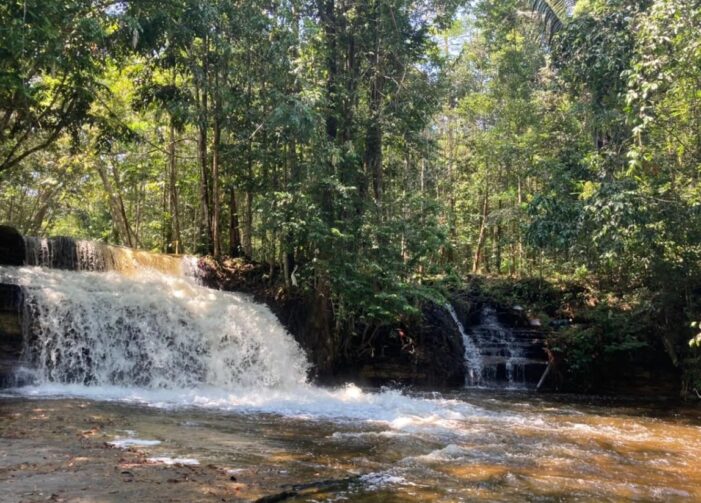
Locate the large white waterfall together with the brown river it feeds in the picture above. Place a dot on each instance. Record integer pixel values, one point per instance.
(188, 376)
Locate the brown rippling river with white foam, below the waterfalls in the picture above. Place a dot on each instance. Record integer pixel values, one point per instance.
(355, 445)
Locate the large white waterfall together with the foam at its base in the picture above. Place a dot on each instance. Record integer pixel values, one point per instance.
(167, 342)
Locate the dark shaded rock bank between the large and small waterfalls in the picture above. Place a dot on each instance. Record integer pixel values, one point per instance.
(427, 352)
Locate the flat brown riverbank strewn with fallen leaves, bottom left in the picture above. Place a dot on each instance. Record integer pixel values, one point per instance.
(61, 451)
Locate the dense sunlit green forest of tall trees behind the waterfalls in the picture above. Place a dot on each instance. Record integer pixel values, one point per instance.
(379, 153)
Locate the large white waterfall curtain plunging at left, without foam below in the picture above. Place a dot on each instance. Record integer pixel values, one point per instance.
(149, 330)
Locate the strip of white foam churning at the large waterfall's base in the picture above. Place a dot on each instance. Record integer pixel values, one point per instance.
(390, 408)
